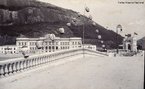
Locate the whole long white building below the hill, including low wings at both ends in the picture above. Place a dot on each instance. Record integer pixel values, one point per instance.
(48, 43)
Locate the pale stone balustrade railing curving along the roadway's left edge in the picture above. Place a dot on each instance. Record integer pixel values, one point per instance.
(13, 66)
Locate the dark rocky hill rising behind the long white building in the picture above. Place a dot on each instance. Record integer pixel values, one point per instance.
(33, 18)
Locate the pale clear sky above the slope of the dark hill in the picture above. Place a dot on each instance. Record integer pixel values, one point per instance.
(109, 13)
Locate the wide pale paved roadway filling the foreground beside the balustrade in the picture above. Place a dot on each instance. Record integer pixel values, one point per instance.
(91, 72)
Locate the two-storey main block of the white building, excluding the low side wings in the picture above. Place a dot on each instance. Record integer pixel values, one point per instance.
(49, 43)
